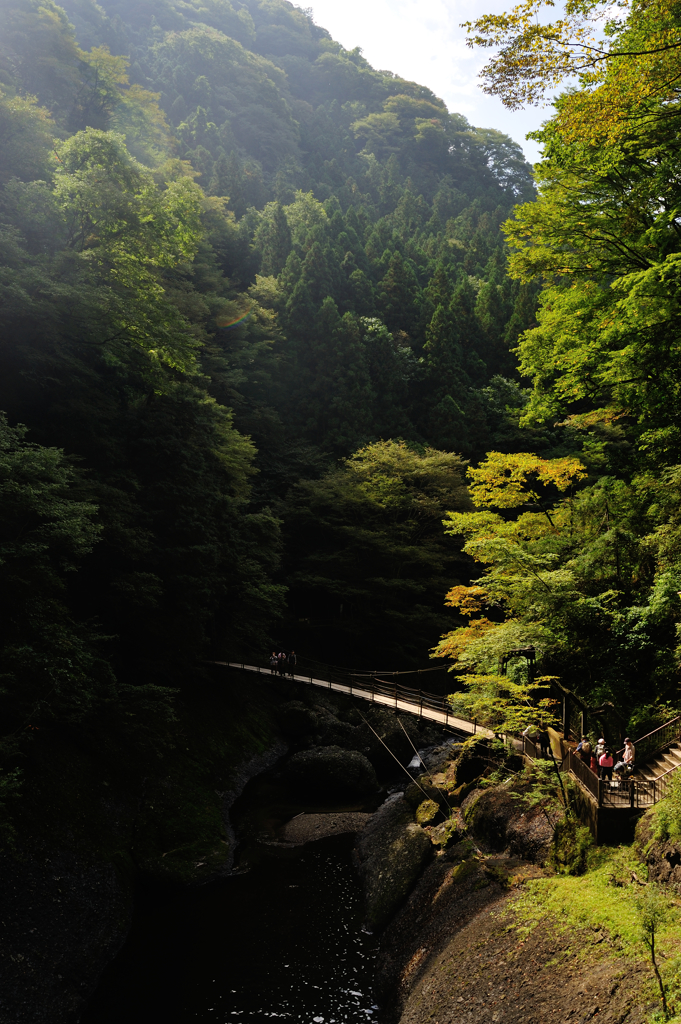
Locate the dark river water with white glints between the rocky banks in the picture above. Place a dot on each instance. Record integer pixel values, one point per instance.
(283, 941)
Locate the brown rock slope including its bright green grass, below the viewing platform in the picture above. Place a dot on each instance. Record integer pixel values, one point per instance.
(492, 933)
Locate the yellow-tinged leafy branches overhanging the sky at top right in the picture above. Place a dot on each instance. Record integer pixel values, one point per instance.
(626, 59)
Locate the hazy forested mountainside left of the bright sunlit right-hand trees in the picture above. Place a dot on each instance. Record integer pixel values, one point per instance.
(233, 253)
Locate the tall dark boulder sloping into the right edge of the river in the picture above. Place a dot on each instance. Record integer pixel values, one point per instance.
(392, 854)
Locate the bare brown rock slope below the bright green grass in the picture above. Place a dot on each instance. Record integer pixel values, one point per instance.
(485, 971)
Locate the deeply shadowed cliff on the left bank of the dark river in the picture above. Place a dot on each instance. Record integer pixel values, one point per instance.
(96, 818)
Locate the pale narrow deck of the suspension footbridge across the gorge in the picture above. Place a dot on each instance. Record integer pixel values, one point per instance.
(421, 707)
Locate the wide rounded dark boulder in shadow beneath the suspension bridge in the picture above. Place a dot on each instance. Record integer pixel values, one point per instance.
(330, 772)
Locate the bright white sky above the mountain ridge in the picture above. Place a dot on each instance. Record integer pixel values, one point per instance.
(421, 40)
